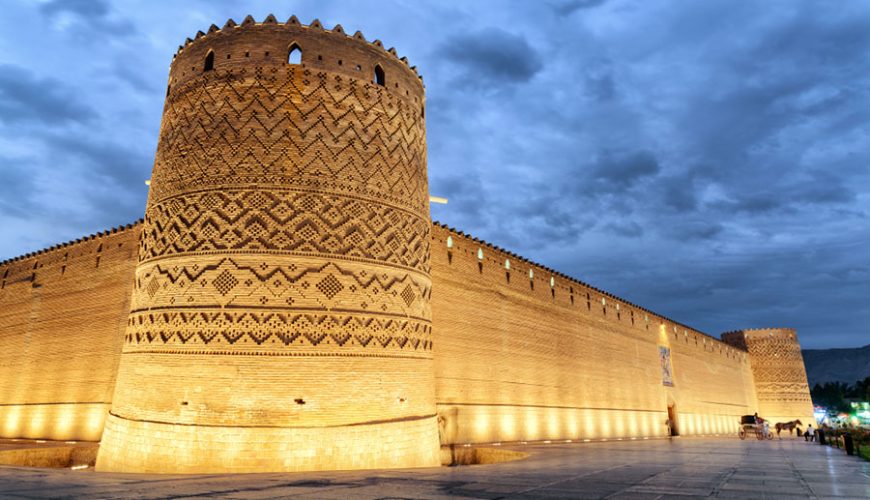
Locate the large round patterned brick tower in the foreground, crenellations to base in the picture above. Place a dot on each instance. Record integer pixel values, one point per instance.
(280, 313)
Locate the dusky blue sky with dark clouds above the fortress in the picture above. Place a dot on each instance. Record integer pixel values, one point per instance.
(707, 160)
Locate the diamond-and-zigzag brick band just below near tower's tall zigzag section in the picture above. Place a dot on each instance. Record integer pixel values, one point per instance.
(282, 221)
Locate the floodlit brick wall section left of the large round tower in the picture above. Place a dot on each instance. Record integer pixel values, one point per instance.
(62, 317)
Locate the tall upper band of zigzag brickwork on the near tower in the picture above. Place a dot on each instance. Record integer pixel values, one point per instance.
(291, 126)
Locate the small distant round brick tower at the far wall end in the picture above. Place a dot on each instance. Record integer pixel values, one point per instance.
(779, 373)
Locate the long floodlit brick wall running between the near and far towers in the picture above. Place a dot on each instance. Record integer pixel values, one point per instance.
(521, 358)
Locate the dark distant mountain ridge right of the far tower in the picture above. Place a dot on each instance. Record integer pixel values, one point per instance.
(837, 365)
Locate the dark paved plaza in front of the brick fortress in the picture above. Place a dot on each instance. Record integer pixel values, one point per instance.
(678, 468)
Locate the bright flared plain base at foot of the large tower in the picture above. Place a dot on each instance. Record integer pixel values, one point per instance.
(173, 449)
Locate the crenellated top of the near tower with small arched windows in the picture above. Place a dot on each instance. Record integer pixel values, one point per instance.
(235, 47)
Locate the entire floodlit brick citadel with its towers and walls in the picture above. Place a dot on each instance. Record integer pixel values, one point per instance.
(287, 304)
